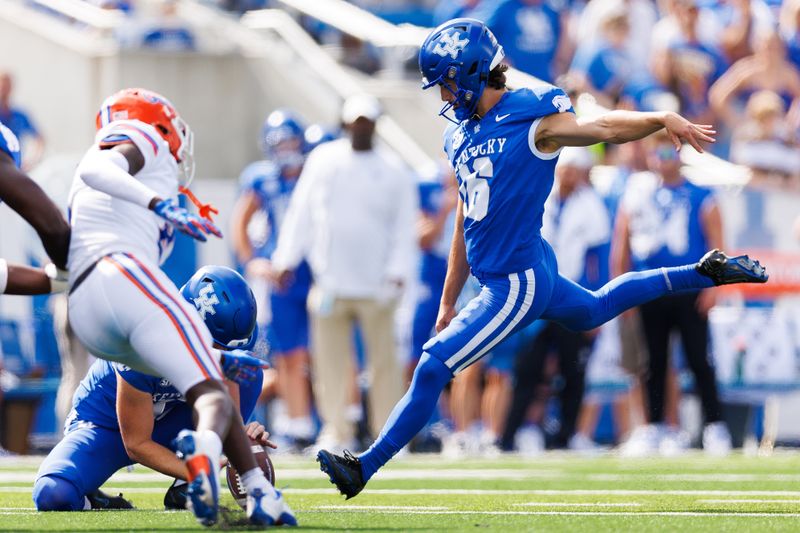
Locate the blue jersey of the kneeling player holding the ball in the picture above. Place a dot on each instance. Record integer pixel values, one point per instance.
(96, 397)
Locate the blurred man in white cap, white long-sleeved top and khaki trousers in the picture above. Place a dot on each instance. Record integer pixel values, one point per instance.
(353, 218)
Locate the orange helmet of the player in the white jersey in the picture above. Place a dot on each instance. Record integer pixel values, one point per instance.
(152, 108)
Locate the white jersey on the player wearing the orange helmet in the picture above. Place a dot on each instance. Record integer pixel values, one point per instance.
(102, 224)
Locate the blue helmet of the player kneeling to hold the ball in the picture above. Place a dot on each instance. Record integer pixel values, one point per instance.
(227, 305)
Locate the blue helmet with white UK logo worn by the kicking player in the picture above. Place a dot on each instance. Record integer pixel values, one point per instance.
(462, 51)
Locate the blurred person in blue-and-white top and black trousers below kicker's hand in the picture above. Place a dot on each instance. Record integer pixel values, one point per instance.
(665, 220)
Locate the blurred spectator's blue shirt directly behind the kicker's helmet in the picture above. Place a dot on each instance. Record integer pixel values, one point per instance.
(533, 33)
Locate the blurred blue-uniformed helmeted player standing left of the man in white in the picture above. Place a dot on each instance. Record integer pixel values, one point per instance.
(268, 186)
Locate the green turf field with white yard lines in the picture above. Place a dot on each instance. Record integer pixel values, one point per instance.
(552, 493)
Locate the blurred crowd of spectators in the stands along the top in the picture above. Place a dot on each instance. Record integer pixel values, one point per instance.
(731, 63)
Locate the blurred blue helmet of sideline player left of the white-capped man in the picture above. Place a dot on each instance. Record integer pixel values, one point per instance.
(282, 139)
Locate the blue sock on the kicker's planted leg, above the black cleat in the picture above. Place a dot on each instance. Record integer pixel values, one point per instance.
(410, 414)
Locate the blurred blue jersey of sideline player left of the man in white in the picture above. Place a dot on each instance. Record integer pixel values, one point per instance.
(274, 192)
